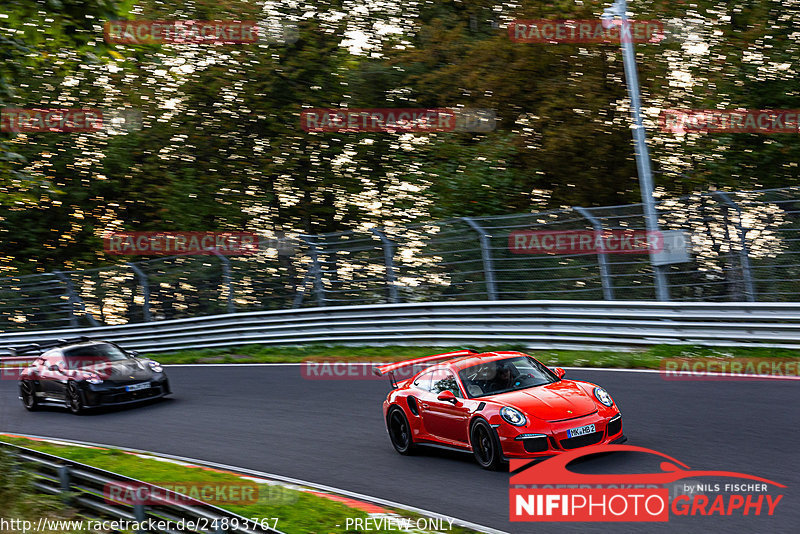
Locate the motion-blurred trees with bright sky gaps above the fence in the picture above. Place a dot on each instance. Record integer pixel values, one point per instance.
(221, 146)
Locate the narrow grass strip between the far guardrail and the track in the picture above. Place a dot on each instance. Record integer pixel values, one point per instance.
(642, 359)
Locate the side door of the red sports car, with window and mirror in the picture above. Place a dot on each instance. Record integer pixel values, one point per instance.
(444, 420)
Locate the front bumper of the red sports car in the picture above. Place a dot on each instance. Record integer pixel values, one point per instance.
(519, 442)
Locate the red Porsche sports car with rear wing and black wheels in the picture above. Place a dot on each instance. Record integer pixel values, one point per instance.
(498, 405)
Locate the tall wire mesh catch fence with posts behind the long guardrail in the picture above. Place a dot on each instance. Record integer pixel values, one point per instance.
(741, 246)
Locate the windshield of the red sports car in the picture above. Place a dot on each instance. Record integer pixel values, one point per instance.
(501, 376)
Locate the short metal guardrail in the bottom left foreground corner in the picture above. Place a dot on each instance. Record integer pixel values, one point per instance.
(82, 487)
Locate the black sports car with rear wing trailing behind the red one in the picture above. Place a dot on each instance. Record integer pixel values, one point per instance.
(83, 373)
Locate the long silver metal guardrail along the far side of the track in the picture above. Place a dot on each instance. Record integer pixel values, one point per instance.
(538, 324)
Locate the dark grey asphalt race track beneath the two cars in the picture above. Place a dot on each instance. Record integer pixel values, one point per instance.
(331, 432)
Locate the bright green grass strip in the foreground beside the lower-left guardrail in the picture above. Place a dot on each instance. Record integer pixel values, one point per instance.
(298, 512)
